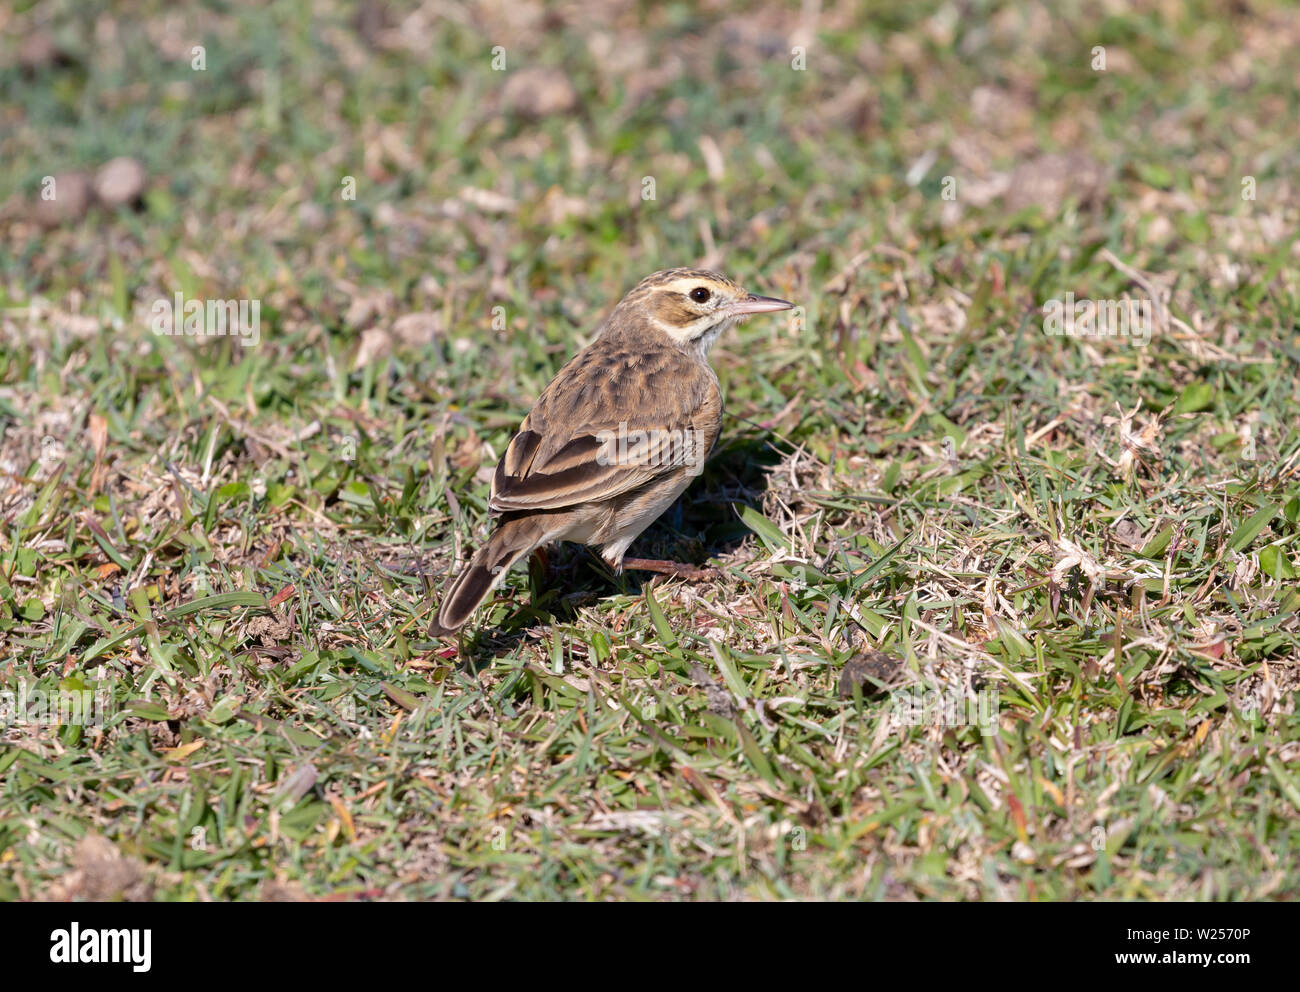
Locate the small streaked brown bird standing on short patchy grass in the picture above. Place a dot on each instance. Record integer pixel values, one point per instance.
(616, 437)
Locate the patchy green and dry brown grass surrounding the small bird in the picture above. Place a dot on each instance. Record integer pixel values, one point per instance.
(240, 548)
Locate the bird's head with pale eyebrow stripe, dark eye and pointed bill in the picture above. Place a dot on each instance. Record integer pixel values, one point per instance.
(694, 306)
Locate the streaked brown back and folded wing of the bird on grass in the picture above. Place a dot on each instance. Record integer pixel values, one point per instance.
(610, 422)
